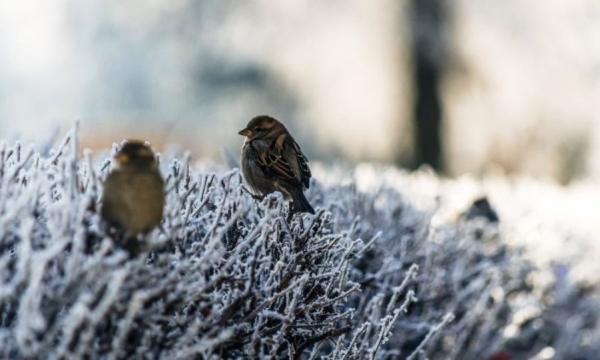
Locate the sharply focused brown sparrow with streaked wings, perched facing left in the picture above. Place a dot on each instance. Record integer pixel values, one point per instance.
(271, 161)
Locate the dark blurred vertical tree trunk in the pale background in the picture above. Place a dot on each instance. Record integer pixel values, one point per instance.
(428, 21)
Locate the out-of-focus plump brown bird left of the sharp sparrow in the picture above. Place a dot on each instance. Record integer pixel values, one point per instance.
(134, 194)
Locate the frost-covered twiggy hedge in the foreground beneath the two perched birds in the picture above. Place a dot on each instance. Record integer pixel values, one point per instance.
(225, 276)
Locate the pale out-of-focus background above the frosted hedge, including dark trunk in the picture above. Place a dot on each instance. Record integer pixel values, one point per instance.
(466, 86)
